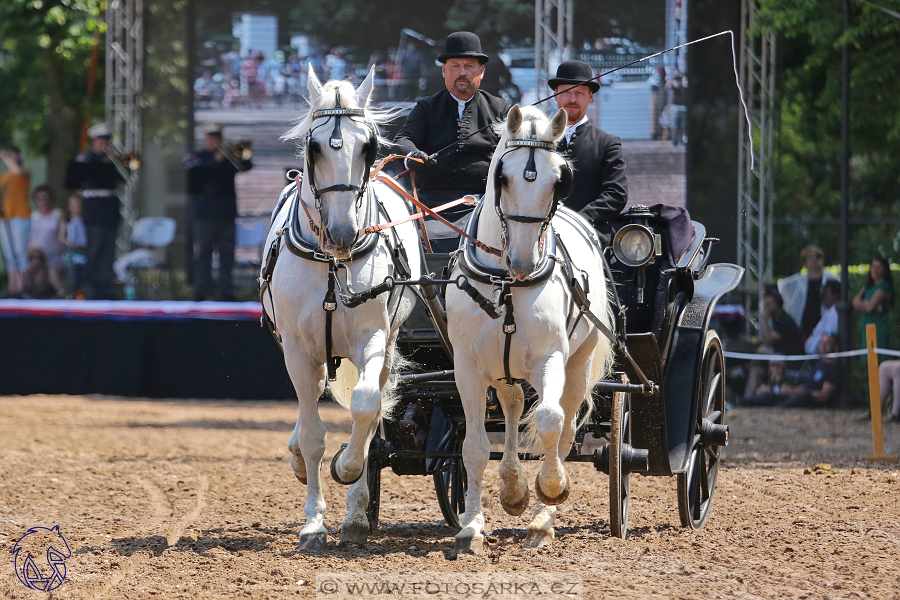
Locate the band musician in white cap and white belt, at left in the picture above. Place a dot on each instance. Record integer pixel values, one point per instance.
(95, 175)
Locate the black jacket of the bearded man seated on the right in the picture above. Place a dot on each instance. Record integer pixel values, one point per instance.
(600, 191)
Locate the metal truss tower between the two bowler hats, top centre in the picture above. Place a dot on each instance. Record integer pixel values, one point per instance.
(553, 23)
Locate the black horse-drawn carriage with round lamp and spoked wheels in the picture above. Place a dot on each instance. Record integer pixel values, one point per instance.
(662, 413)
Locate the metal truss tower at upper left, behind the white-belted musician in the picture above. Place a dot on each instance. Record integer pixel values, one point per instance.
(124, 84)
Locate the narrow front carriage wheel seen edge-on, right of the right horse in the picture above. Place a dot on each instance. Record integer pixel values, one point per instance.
(619, 475)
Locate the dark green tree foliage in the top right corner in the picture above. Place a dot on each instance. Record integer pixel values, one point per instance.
(811, 37)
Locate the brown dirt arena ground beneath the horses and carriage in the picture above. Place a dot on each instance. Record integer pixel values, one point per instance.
(177, 499)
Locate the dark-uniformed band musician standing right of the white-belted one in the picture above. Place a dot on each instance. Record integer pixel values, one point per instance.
(213, 198)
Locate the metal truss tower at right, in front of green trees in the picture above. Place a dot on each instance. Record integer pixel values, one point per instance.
(757, 75)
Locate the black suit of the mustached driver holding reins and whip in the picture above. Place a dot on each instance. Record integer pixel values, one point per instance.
(434, 124)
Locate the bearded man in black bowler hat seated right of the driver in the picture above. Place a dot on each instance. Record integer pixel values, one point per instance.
(600, 191)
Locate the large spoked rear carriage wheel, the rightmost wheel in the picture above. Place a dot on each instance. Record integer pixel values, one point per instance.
(698, 482)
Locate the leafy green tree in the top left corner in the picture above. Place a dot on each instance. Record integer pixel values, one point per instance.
(44, 63)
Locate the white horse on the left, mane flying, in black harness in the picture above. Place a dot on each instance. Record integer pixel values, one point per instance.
(340, 134)
